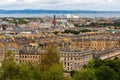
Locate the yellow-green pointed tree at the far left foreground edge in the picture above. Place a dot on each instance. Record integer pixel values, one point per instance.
(9, 69)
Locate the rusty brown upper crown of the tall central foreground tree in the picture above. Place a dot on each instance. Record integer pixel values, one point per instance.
(49, 58)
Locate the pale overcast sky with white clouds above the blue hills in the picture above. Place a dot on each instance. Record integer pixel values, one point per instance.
(99, 5)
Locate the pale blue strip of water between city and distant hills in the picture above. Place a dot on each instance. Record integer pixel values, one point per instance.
(90, 15)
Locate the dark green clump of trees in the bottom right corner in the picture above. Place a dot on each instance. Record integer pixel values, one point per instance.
(99, 70)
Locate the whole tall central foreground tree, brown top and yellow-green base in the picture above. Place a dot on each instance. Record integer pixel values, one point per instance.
(50, 65)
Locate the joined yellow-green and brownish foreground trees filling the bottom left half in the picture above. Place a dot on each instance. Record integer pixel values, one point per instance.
(48, 69)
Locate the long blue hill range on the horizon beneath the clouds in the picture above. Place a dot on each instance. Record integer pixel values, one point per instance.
(30, 11)
